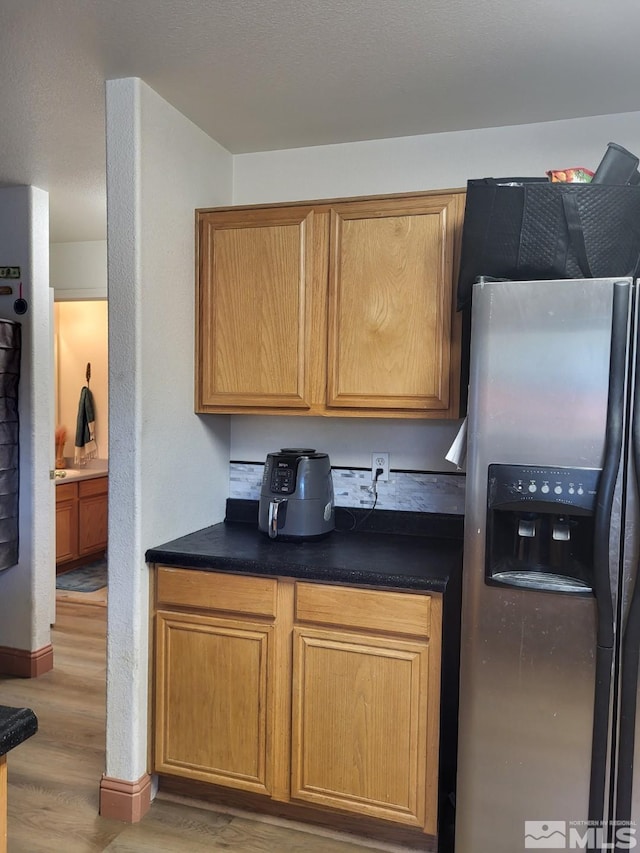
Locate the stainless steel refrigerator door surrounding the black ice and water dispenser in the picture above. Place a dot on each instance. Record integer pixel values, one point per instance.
(538, 397)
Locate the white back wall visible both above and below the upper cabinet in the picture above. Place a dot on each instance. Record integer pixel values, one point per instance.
(405, 164)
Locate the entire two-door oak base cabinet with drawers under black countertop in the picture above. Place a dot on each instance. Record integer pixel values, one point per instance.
(316, 694)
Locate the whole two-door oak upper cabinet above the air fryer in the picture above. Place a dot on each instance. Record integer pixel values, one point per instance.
(341, 308)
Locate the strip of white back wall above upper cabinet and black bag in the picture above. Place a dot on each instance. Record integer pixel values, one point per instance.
(436, 161)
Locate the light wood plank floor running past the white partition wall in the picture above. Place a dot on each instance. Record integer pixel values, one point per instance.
(54, 776)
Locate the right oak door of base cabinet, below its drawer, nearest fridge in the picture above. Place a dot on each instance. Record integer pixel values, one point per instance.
(360, 709)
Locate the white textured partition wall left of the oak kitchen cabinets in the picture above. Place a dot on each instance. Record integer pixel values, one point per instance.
(166, 464)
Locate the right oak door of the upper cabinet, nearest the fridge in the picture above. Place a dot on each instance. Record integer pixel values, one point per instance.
(390, 317)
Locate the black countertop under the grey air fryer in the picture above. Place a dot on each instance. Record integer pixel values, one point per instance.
(423, 555)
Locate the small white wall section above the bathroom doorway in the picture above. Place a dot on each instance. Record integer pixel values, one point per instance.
(79, 270)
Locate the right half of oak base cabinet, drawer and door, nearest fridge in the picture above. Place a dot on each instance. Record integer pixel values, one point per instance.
(366, 674)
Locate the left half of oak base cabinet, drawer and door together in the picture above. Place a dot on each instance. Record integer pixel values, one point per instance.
(218, 678)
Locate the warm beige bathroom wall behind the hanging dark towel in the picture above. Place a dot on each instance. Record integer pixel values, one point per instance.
(81, 337)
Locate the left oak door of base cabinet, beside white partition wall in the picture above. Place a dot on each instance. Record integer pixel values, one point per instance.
(213, 700)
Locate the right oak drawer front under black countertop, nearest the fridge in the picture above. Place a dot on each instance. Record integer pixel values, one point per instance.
(368, 609)
